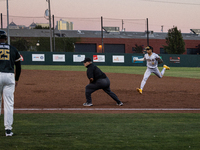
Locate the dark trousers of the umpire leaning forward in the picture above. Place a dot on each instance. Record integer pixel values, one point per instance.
(100, 84)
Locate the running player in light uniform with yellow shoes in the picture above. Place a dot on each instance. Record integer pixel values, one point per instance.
(152, 66)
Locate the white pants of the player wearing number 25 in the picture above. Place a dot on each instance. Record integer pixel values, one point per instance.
(8, 97)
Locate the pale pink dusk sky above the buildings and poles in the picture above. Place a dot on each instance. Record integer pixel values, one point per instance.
(86, 14)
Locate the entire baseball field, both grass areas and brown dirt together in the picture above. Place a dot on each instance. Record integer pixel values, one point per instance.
(49, 112)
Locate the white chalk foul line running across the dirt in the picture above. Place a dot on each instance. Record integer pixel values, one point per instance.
(124, 109)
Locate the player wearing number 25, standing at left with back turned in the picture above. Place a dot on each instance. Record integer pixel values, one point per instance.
(9, 56)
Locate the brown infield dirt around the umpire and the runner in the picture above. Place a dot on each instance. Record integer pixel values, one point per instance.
(66, 89)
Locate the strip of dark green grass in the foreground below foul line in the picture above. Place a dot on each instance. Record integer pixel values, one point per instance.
(103, 132)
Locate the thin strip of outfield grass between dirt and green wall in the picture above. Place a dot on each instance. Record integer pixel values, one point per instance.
(185, 72)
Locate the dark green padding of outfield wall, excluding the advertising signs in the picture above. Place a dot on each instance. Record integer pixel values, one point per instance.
(185, 60)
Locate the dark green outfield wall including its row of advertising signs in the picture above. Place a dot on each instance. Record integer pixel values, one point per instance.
(106, 59)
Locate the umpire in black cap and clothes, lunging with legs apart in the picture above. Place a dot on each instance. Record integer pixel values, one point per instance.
(98, 80)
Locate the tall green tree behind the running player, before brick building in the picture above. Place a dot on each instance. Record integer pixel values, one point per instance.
(175, 42)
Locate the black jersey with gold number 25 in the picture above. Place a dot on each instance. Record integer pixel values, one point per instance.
(8, 56)
